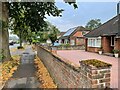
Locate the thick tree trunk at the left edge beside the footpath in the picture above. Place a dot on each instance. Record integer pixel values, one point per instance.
(4, 35)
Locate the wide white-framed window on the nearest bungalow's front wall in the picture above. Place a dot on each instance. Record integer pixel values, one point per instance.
(94, 42)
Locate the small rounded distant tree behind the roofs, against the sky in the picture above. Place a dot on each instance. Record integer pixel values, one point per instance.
(92, 24)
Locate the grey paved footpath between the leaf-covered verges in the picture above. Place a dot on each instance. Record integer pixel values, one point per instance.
(24, 77)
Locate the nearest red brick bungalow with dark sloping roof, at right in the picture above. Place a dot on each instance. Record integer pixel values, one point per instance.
(105, 36)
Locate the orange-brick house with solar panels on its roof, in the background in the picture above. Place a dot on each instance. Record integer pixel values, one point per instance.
(74, 36)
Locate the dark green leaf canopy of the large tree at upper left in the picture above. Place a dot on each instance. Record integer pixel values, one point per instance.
(32, 14)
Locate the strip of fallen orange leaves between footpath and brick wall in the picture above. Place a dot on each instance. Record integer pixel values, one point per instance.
(43, 75)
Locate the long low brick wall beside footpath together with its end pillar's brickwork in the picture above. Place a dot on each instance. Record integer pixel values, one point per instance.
(67, 75)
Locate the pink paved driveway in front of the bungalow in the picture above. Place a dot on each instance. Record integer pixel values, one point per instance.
(77, 55)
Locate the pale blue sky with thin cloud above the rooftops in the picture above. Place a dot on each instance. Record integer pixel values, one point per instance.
(85, 12)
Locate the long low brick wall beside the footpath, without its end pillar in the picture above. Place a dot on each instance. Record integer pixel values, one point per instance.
(63, 73)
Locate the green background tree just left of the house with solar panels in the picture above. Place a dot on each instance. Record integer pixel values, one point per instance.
(48, 32)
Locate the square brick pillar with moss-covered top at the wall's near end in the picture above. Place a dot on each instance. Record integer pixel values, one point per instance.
(96, 77)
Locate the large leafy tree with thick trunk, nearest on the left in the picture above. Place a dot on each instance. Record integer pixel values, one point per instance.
(34, 15)
